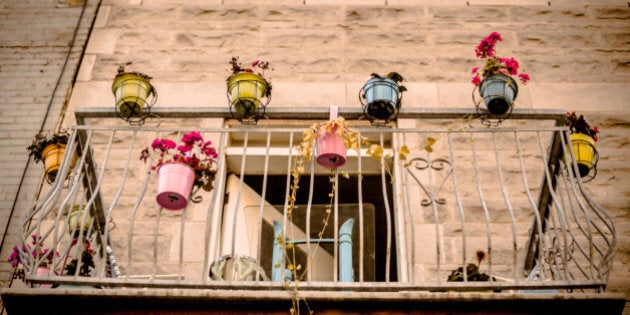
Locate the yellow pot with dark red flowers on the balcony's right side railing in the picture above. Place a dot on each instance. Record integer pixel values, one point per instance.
(583, 139)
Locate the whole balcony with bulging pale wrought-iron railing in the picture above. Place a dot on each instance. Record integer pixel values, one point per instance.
(396, 233)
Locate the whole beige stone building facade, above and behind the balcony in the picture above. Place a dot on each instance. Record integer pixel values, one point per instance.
(61, 57)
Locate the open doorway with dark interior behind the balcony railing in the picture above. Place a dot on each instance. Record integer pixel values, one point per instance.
(256, 193)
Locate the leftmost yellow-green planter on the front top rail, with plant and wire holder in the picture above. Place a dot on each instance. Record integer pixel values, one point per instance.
(134, 95)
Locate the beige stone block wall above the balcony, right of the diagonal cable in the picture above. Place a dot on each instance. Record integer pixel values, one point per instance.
(322, 52)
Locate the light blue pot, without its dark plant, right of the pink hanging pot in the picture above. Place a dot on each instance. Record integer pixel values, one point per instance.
(382, 98)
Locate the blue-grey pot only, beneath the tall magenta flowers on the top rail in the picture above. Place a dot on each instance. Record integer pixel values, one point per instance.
(499, 92)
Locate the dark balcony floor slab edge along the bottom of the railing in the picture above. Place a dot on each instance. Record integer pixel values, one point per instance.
(204, 301)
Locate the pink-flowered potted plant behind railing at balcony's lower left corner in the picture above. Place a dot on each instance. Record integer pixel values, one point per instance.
(42, 256)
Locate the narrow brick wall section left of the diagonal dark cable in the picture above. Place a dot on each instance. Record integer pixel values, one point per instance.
(39, 57)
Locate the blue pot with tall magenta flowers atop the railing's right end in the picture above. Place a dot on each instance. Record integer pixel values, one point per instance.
(496, 85)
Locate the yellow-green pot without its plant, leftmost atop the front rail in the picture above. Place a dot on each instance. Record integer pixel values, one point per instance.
(131, 91)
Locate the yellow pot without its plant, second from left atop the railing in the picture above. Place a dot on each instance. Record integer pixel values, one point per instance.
(245, 91)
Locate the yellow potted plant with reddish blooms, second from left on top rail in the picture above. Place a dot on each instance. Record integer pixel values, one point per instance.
(246, 88)
